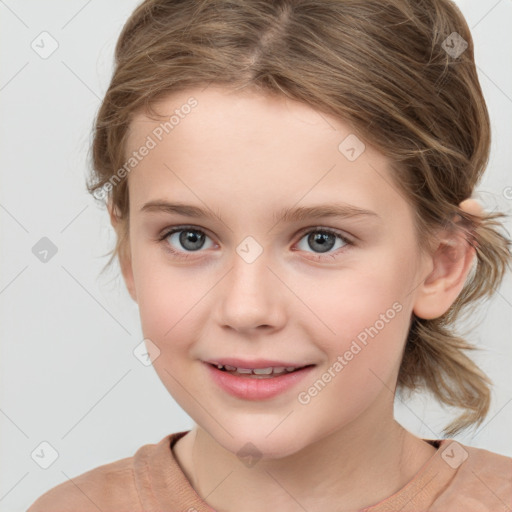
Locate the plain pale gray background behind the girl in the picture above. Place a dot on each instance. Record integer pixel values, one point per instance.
(68, 373)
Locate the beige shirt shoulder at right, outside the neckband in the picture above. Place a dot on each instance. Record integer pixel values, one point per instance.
(482, 481)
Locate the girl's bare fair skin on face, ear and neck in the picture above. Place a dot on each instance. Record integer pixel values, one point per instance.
(245, 156)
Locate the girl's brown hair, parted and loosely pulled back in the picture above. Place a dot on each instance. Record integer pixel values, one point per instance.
(381, 66)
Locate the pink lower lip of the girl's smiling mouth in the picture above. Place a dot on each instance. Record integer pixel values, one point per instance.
(254, 388)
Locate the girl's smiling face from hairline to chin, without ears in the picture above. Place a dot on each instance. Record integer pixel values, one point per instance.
(331, 292)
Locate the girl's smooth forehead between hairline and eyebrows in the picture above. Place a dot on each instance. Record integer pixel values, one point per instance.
(264, 150)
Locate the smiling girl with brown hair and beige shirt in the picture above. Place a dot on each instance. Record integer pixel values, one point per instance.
(290, 183)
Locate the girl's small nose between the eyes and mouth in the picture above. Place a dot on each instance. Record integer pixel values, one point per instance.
(252, 296)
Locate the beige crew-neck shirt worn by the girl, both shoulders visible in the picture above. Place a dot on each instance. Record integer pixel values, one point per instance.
(456, 478)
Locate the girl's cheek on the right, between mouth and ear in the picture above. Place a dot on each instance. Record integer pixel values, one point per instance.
(364, 315)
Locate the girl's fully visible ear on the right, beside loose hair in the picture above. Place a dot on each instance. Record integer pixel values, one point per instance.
(451, 262)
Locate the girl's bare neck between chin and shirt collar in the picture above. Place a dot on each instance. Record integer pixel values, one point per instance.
(359, 465)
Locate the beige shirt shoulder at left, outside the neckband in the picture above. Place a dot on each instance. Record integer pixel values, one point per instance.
(109, 485)
